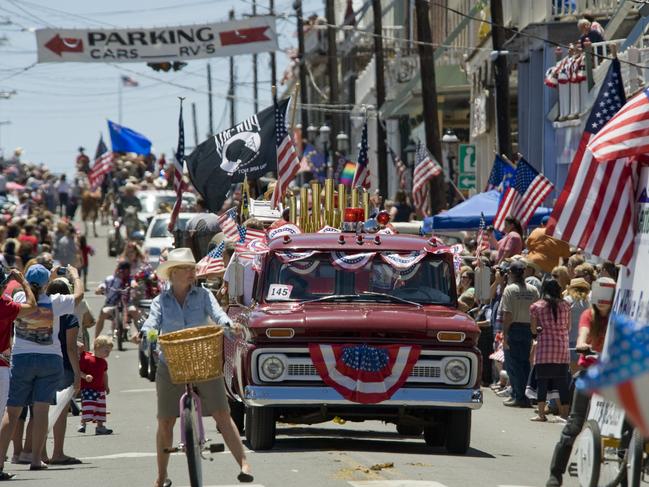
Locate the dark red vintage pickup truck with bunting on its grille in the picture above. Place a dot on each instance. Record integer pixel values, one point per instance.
(359, 327)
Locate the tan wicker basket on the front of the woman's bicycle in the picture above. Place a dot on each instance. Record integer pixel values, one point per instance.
(194, 354)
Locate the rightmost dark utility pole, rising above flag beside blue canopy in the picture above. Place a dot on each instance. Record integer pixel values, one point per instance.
(501, 75)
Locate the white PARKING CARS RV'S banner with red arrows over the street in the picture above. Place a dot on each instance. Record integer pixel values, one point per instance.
(157, 44)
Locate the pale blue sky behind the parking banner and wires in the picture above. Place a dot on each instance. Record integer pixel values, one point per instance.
(61, 106)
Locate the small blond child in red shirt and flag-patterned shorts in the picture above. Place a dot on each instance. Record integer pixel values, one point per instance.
(94, 387)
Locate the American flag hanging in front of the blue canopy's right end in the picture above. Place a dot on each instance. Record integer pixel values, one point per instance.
(521, 200)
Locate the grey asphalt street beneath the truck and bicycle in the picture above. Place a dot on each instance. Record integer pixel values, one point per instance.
(506, 449)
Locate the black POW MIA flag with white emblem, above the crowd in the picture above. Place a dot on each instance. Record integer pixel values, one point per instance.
(248, 148)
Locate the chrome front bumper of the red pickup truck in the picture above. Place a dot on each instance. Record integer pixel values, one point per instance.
(293, 396)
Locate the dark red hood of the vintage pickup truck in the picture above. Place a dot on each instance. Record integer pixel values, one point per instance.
(362, 320)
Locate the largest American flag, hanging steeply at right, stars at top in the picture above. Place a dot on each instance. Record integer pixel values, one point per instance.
(596, 206)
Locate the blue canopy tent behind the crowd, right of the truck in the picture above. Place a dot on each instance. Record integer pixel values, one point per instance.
(466, 215)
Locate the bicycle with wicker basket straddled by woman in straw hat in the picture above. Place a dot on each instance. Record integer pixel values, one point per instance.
(193, 355)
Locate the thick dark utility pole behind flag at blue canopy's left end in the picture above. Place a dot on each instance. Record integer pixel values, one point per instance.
(429, 96)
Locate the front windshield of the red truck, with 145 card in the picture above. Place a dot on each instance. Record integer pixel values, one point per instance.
(429, 281)
